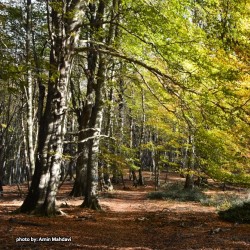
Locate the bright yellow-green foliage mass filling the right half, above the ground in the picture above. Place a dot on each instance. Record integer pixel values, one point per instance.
(197, 50)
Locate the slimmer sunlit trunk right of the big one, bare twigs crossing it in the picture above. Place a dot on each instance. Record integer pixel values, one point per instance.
(96, 81)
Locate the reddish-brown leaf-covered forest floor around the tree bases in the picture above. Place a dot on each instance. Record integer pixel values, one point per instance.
(129, 220)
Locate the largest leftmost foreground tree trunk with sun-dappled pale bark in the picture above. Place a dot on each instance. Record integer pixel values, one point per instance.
(42, 193)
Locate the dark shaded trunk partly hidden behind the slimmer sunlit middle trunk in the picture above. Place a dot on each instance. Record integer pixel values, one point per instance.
(86, 113)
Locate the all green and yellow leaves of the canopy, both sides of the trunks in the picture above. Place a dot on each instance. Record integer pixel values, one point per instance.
(200, 48)
